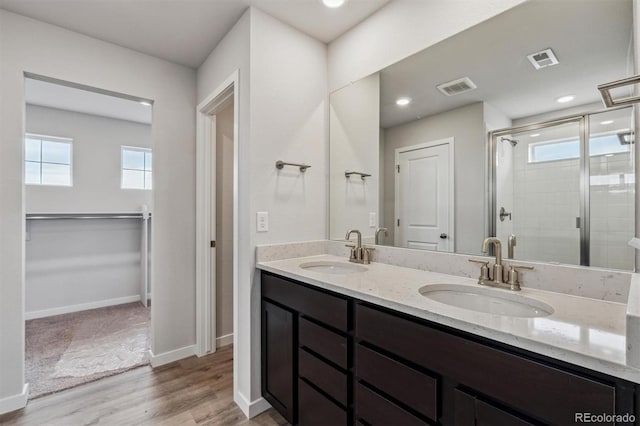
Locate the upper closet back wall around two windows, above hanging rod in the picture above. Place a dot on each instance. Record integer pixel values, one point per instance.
(97, 143)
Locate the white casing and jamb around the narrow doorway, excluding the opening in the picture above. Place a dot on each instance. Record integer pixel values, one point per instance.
(205, 227)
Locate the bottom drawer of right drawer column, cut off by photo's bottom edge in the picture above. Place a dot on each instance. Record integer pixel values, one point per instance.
(376, 410)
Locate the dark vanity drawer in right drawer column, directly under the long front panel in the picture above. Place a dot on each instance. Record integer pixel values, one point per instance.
(414, 388)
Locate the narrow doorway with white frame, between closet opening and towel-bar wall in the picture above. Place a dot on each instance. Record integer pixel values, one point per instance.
(217, 219)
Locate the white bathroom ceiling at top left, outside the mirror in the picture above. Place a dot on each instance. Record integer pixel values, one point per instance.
(186, 31)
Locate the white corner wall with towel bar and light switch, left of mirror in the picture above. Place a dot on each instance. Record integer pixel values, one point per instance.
(282, 116)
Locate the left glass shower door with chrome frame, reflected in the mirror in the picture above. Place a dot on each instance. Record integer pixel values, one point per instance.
(538, 191)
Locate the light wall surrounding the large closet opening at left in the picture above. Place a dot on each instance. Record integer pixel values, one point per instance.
(51, 51)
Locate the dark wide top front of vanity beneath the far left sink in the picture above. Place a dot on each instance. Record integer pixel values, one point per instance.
(331, 310)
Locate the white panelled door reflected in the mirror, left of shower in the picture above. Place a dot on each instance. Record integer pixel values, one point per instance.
(424, 196)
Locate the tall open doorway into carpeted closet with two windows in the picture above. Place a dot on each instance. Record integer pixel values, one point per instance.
(88, 183)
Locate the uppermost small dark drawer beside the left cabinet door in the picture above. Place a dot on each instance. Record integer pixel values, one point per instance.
(324, 342)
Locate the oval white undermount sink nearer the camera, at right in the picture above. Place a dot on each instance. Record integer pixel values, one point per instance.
(492, 301)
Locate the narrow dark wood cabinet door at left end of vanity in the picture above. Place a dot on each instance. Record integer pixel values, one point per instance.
(277, 359)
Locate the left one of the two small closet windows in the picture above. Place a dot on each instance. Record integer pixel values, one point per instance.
(47, 160)
